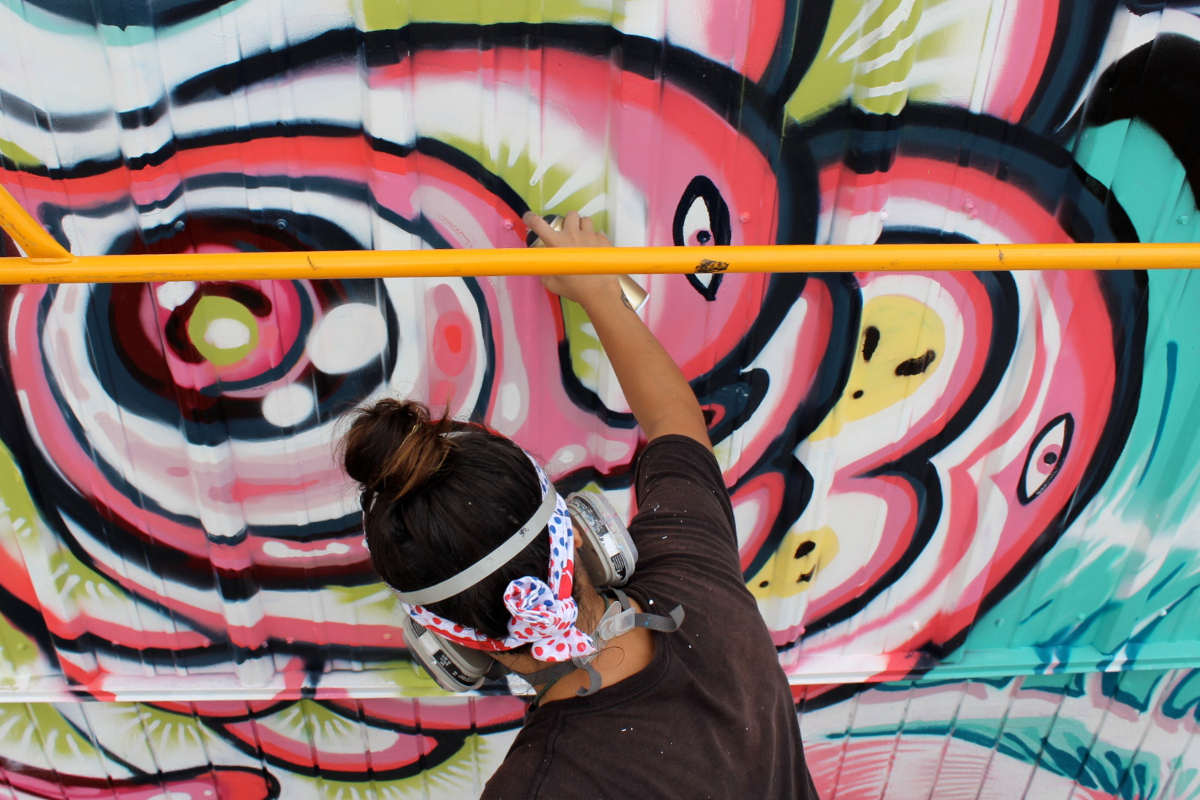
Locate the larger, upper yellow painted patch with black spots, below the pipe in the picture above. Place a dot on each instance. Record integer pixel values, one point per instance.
(905, 340)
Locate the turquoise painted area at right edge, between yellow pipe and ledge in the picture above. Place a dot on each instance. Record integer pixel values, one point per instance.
(1153, 491)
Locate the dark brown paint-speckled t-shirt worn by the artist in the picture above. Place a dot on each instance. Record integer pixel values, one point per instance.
(712, 715)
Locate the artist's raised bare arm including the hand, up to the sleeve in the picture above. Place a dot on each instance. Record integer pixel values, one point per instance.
(656, 389)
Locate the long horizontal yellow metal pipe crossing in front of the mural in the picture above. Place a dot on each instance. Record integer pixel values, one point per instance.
(425, 263)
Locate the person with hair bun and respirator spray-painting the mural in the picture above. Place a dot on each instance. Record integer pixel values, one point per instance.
(665, 688)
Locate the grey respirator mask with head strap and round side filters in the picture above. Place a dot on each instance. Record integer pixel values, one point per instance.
(608, 554)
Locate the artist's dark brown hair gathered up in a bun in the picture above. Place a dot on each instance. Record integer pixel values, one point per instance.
(439, 496)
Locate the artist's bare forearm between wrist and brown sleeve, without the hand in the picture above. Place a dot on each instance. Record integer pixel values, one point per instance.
(655, 388)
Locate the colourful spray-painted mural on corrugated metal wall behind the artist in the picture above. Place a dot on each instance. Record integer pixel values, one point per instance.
(967, 503)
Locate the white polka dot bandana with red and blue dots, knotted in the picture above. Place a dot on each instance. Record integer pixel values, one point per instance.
(543, 615)
